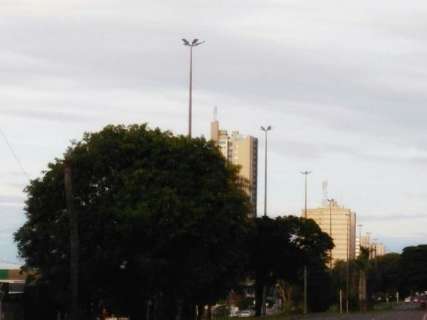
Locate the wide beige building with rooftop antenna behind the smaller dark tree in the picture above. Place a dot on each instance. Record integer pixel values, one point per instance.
(340, 224)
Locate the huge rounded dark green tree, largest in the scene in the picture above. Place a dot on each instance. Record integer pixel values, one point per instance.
(162, 223)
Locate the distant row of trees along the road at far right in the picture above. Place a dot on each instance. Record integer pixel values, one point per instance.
(382, 277)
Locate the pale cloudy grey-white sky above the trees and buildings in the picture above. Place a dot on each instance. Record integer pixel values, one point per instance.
(342, 83)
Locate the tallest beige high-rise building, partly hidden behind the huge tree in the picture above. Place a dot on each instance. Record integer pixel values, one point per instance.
(242, 151)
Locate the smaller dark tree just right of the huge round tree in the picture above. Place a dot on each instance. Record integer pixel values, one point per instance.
(279, 250)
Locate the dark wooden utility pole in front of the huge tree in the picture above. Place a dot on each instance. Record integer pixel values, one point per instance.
(74, 242)
